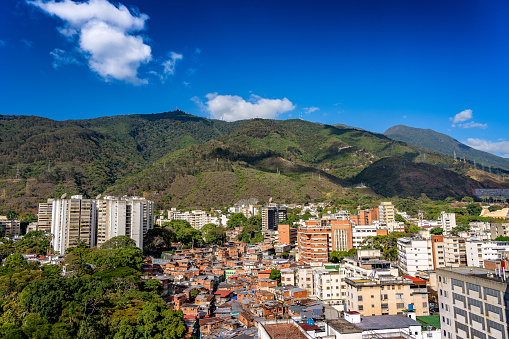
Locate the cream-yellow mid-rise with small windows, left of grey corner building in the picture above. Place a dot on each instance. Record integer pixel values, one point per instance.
(387, 295)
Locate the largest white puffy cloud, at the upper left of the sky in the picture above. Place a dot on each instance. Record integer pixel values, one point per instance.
(108, 36)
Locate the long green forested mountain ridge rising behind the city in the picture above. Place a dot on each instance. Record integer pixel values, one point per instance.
(181, 160)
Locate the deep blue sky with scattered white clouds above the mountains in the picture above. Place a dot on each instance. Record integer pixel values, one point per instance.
(373, 64)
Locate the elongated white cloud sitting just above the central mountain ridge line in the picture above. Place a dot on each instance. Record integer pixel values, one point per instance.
(232, 107)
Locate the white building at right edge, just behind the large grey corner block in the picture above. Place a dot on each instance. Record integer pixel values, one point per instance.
(479, 251)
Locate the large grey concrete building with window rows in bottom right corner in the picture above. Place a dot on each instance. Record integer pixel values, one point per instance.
(473, 303)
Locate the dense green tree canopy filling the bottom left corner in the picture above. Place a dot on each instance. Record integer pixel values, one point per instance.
(101, 296)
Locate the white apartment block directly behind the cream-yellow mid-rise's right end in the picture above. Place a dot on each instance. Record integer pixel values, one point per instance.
(414, 254)
